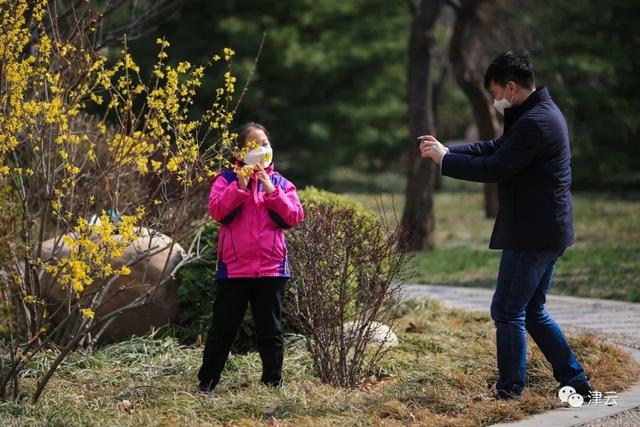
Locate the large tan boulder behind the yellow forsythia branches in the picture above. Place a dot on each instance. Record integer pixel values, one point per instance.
(159, 311)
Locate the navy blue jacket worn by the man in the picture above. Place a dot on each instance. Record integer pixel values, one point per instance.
(531, 162)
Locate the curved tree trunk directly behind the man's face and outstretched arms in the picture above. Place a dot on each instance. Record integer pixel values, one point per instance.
(466, 50)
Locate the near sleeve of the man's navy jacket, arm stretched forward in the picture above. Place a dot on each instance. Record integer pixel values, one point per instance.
(514, 154)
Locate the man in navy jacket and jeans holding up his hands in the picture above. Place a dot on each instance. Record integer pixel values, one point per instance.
(531, 164)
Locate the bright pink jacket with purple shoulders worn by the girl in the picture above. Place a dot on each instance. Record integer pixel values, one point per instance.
(251, 242)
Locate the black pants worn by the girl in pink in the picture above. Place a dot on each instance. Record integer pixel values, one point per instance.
(265, 295)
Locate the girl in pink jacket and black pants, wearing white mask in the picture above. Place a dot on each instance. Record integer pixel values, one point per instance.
(253, 205)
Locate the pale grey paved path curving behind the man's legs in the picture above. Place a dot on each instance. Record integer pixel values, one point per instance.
(616, 321)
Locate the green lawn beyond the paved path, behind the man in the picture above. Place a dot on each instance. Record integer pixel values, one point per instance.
(603, 263)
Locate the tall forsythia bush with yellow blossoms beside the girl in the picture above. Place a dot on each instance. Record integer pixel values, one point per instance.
(142, 154)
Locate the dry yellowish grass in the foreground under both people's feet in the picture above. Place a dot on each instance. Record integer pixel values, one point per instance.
(439, 375)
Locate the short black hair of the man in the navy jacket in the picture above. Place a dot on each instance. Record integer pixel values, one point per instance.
(511, 66)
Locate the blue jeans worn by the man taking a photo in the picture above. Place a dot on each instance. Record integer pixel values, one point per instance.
(524, 279)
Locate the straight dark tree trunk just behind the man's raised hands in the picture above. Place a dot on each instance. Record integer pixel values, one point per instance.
(418, 219)
